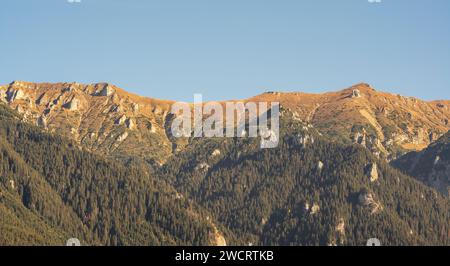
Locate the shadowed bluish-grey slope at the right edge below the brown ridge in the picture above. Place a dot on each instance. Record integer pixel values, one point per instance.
(432, 165)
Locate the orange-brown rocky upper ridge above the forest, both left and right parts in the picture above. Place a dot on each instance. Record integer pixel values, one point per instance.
(109, 120)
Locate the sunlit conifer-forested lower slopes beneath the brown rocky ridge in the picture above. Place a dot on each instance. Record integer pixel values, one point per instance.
(307, 191)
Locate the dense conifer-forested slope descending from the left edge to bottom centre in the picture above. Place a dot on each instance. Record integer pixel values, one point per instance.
(51, 190)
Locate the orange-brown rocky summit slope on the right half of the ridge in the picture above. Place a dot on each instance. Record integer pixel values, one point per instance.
(387, 124)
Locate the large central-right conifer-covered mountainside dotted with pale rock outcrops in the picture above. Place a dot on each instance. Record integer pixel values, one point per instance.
(307, 191)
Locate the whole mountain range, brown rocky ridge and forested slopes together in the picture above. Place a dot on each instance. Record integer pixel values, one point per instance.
(95, 162)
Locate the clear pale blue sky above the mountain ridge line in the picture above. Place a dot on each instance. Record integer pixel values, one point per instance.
(228, 49)
